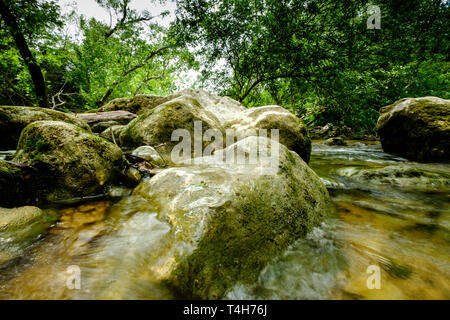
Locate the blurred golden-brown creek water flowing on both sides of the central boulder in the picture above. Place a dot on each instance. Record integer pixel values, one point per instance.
(398, 223)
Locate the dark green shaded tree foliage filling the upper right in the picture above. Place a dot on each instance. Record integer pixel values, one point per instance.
(318, 58)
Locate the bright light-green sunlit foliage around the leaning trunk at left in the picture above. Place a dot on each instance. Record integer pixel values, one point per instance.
(100, 62)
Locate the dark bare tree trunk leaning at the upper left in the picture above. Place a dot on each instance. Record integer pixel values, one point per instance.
(30, 61)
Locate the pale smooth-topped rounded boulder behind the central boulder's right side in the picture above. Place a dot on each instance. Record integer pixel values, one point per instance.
(292, 131)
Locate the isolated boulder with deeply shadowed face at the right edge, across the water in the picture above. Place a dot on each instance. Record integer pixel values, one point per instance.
(416, 128)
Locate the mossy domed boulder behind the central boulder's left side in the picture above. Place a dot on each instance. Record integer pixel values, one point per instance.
(155, 127)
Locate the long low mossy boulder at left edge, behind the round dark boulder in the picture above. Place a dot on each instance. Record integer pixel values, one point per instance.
(14, 119)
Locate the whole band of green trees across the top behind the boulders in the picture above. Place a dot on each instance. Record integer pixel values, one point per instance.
(317, 58)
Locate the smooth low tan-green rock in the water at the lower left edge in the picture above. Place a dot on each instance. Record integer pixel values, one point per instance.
(20, 227)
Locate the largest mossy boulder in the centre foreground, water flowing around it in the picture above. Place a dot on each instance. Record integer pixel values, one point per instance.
(227, 221)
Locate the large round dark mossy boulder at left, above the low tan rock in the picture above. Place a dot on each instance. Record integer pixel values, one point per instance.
(71, 162)
